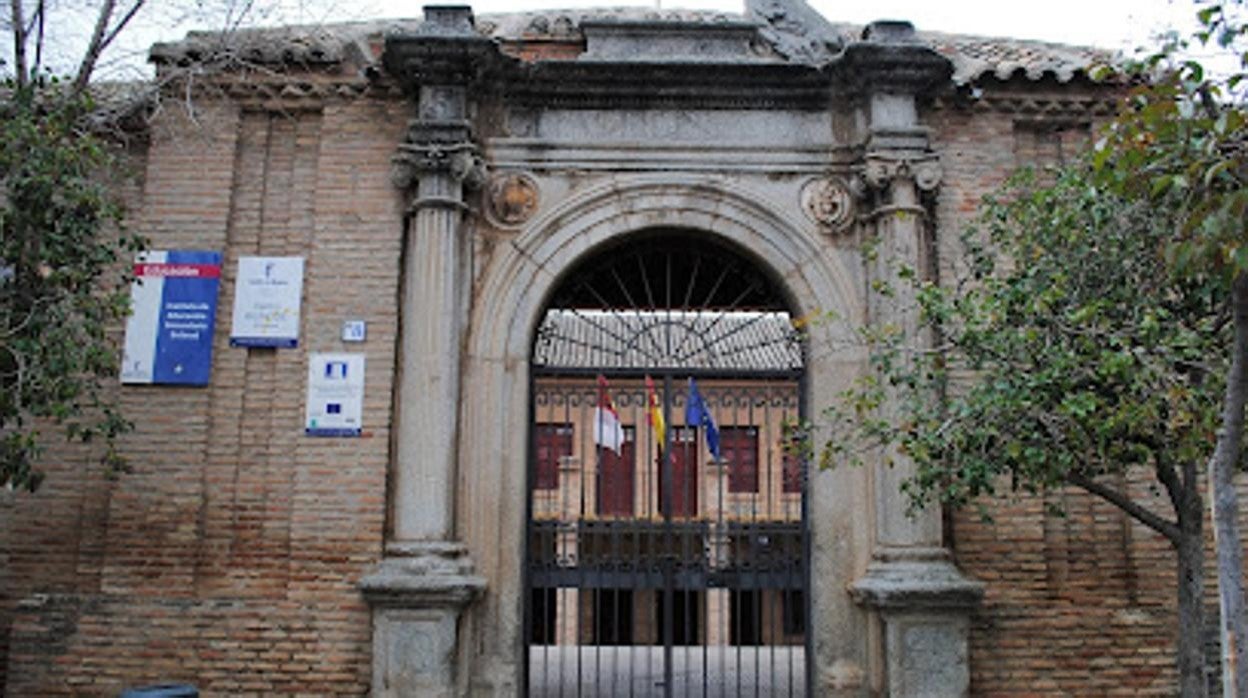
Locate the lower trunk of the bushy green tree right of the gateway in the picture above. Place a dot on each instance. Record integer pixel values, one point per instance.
(1191, 605)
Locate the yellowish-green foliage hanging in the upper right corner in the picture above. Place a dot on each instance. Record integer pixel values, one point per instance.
(1181, 142)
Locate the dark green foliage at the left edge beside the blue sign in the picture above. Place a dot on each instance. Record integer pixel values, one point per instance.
(62, 287)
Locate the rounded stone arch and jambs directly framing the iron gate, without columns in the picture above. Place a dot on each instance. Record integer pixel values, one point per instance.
(494, 446)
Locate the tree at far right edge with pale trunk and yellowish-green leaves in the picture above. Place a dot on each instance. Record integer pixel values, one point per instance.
(1181, 143)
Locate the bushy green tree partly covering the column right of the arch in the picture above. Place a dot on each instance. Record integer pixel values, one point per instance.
(1070, 355)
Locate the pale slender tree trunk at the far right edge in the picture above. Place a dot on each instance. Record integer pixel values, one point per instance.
(1224, 503)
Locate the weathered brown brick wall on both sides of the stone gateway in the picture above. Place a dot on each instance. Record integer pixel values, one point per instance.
(229, 558)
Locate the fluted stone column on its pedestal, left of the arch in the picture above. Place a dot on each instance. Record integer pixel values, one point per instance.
(426, 579)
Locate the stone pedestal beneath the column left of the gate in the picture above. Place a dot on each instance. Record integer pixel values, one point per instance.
(417, 595)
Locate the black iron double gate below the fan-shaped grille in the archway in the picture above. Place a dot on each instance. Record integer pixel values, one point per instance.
(700, 587)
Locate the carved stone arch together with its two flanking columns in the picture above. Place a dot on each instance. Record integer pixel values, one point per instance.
(889, 605)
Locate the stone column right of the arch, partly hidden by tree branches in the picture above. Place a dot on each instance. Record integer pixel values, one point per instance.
(924, 601)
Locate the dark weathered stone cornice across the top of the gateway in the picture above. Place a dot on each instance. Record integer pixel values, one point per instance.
(709, 67)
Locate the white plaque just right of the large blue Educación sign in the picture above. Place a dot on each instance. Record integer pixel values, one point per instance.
(268, 303)
